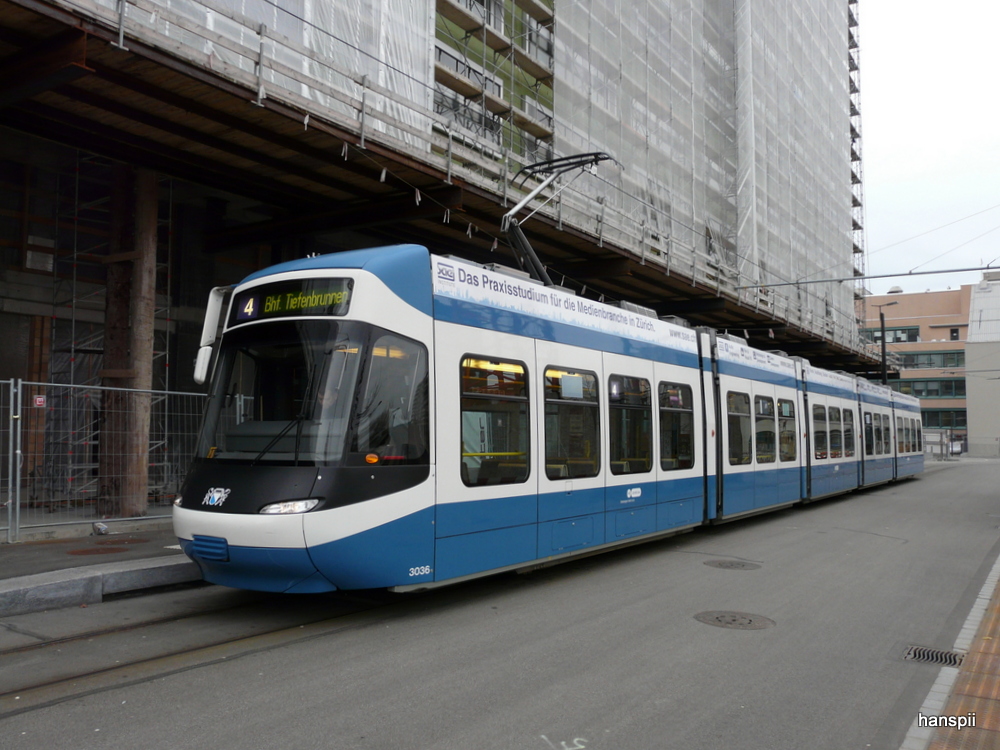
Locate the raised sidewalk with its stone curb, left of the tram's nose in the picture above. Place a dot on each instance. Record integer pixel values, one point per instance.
(73, 569)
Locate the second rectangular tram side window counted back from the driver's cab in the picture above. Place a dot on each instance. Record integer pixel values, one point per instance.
(572, 424)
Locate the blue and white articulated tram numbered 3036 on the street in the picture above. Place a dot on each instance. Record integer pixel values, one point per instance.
(389, 418)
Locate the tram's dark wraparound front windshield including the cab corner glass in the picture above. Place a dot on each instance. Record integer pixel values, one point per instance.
(288, 392)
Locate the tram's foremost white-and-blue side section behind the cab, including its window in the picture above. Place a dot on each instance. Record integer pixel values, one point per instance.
(487, 467)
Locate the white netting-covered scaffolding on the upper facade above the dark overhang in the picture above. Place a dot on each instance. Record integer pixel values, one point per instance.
(734, 123)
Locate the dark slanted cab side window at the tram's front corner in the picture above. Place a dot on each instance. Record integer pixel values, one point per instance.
(392, 423)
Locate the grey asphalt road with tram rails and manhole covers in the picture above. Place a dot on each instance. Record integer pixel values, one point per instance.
(604, 652)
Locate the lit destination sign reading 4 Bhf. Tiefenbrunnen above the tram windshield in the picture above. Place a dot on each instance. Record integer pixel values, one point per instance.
(289, 299)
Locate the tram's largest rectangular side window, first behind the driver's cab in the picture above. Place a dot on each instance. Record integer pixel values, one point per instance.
(495, 431)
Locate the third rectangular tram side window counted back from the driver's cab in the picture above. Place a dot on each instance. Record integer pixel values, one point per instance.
(630, 423)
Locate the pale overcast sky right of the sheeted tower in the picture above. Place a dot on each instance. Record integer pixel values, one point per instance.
(930, 118)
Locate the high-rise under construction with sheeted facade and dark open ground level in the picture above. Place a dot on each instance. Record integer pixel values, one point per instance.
(153, 149)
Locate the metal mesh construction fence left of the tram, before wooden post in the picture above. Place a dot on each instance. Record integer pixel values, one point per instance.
(63, 450)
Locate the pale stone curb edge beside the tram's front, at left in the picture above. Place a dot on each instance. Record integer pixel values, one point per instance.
(89, 585)
